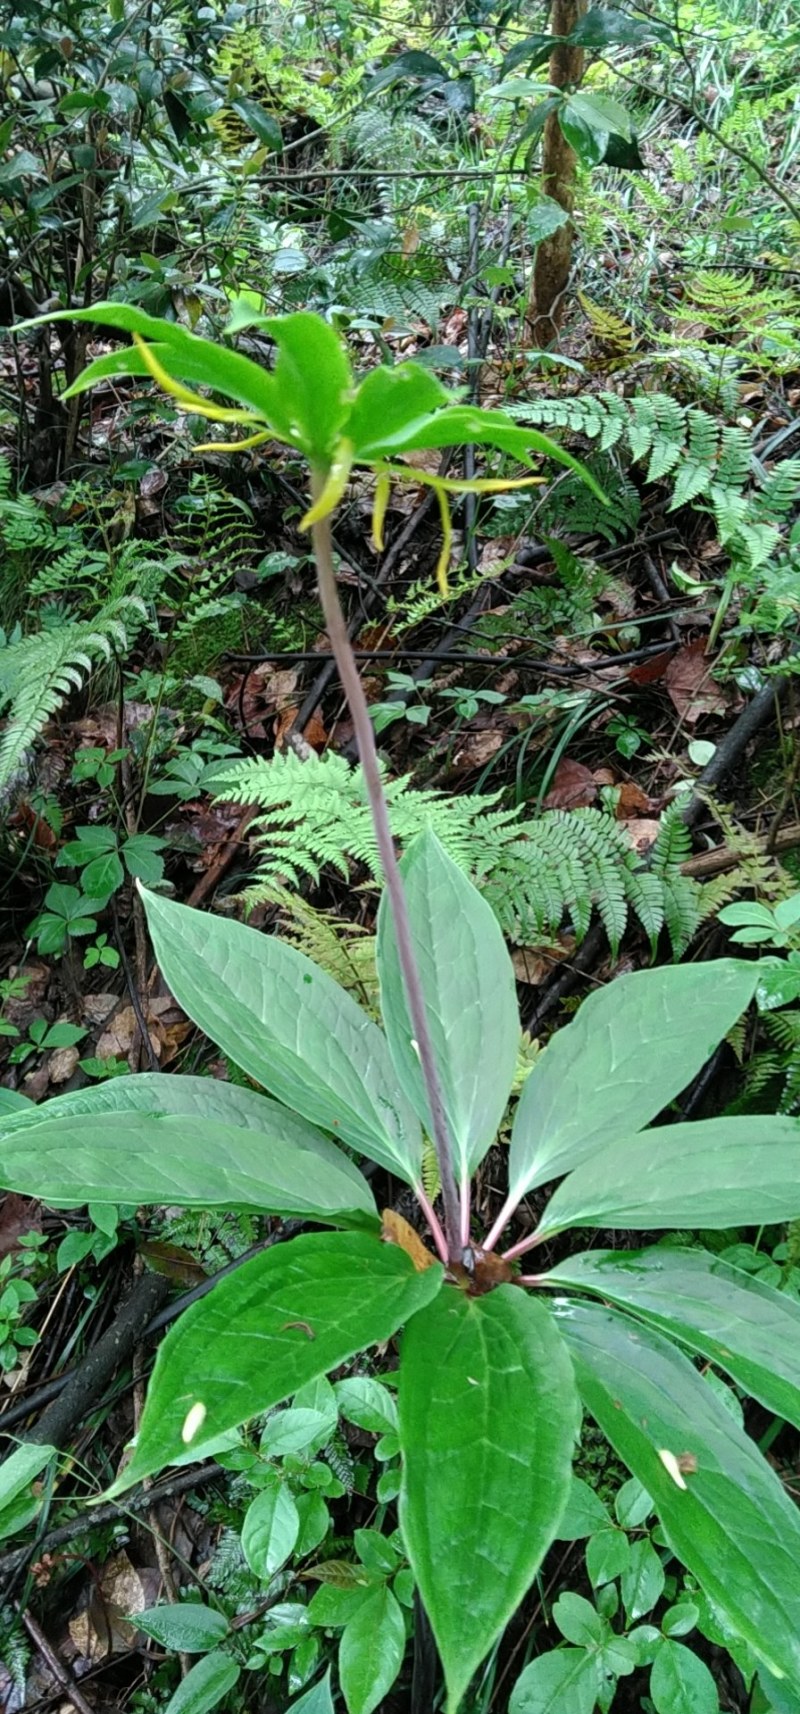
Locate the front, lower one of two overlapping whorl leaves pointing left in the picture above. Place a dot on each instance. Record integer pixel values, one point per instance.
(167, 1160)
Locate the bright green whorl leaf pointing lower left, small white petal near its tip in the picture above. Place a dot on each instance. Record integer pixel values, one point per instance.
(280, 1321)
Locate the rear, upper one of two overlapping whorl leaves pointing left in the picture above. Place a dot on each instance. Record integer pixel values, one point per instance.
(201, 1100)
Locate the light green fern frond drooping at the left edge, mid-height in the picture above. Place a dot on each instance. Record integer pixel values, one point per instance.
(40, 671)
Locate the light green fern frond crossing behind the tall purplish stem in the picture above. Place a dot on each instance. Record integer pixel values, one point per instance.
(535, 873)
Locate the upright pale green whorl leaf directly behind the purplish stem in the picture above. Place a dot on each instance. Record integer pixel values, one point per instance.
(470, 1000)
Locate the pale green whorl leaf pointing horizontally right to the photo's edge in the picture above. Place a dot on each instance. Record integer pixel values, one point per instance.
(717, 1173)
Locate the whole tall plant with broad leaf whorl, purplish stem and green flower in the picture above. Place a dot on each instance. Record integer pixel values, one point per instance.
(494, 1360)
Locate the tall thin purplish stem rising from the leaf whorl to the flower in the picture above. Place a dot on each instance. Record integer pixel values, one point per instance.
(367, 752)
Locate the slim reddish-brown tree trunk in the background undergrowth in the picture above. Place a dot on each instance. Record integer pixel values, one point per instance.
(559, 162)
